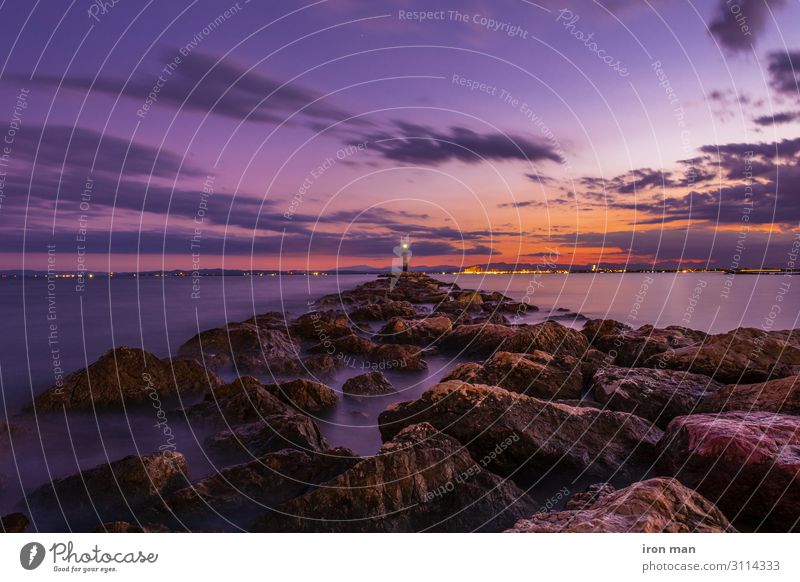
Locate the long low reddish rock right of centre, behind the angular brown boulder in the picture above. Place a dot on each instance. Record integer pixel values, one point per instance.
(484, 339)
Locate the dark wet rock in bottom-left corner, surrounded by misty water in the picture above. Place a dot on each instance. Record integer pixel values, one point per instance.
(112, 492)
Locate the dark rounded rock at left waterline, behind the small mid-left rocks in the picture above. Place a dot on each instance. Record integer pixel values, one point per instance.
(246, 346)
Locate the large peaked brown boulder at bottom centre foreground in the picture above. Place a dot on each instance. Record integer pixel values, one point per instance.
(422, 480)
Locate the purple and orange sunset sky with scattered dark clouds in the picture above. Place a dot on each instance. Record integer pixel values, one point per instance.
(286, 134)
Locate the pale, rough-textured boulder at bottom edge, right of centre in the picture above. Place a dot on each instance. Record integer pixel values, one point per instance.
(658, 505)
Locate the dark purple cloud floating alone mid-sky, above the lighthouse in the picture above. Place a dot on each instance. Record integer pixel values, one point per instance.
(416, 144)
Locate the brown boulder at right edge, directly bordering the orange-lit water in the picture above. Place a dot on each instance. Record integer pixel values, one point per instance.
(745, 355)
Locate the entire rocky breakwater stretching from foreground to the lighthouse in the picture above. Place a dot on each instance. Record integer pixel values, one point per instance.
(697, 431)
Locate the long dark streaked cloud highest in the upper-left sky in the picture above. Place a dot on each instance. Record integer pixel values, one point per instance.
(204, 83)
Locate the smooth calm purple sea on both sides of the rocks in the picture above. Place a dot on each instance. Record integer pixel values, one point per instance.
(160, 314)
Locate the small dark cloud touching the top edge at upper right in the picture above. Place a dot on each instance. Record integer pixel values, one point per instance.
(738, 25)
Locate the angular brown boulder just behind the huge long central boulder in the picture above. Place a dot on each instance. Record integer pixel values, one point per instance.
(537, 374)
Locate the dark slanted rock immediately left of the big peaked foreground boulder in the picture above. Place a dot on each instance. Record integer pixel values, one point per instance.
(233, 495)
